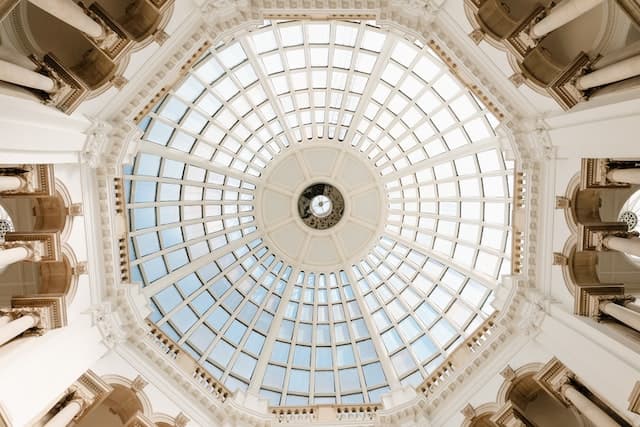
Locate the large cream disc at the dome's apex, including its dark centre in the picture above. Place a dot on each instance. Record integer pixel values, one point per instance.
(321, 205)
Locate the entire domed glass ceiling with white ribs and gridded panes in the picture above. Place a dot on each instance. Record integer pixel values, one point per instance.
(262, 298)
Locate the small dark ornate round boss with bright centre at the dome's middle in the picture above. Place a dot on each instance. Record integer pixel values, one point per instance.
(321, 206)
